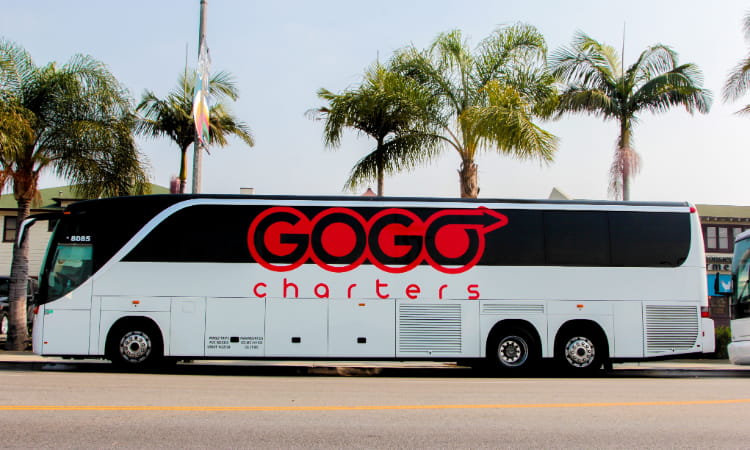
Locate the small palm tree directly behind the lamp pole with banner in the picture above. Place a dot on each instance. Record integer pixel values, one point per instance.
(172, 116)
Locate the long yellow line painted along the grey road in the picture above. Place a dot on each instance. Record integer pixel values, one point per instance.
(359, 408)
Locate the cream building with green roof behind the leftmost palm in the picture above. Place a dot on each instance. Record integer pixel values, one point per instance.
(52, 199)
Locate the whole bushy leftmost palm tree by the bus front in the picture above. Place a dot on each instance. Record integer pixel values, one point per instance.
(74, 120)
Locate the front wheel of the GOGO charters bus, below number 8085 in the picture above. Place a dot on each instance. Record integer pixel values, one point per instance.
(135, 345)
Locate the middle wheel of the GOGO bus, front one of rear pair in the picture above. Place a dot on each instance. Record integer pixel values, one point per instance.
(512, 350)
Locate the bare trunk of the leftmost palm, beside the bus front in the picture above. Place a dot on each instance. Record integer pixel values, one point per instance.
(18, 335)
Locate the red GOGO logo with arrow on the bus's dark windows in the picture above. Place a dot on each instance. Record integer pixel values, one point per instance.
(394, 240)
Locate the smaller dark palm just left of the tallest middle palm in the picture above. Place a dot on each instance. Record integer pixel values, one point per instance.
(392, 110)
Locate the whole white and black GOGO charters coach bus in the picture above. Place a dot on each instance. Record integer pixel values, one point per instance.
(138, 280)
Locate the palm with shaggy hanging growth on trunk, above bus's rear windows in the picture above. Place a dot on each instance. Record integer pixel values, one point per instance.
(598, 84)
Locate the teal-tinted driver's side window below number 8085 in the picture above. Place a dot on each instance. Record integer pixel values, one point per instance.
(70, 267)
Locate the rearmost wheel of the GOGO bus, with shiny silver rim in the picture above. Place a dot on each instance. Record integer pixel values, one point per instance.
(581, 351)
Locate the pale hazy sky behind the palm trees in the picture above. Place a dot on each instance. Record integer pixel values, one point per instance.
(280, 53)
